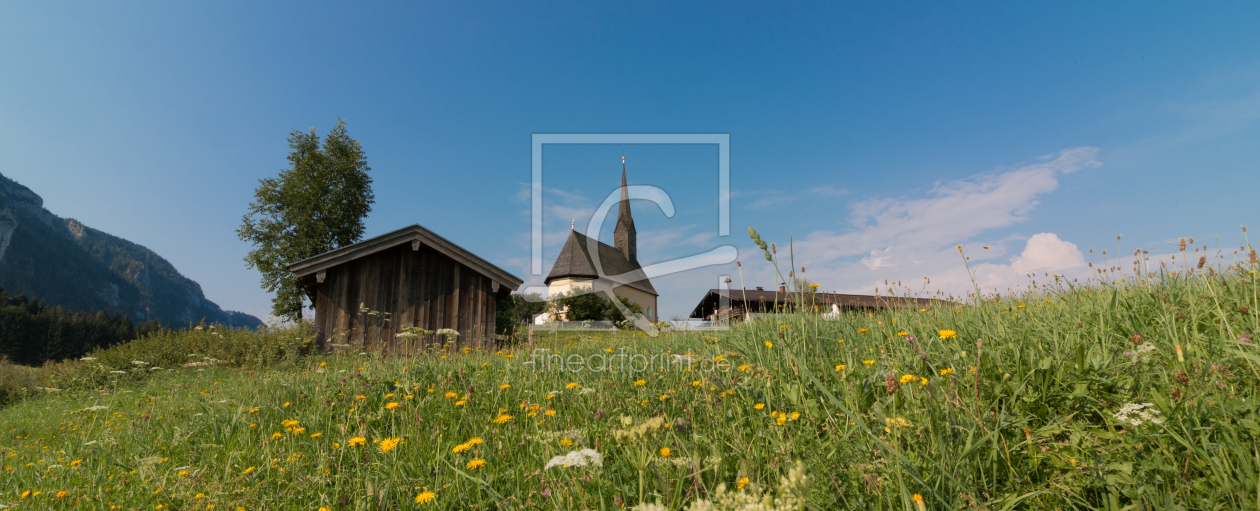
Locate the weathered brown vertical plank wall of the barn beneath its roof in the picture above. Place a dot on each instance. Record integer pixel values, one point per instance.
(420, 289)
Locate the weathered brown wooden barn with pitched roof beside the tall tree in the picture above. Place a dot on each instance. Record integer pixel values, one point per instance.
(365, 294)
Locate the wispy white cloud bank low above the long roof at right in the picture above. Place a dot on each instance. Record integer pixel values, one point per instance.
(913, 240)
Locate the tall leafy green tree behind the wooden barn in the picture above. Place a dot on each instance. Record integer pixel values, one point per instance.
(316, 206)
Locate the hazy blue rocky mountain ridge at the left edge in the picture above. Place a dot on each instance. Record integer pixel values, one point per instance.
(67, 264)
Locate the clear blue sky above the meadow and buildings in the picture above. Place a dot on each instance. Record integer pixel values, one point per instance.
(879, 135)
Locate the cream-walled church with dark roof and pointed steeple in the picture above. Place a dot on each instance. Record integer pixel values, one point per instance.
(618, 269)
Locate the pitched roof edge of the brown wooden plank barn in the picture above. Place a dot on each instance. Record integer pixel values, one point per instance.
(408, 235)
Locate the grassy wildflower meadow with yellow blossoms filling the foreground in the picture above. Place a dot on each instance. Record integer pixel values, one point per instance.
(1131, 396)
